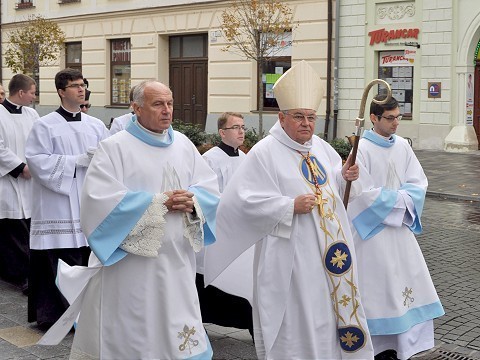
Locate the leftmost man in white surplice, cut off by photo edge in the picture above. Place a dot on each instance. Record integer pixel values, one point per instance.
(16, 120)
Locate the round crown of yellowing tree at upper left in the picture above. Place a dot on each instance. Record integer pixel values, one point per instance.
(37, 43)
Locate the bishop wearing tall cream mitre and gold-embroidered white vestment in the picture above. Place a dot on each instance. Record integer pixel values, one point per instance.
(286, 199)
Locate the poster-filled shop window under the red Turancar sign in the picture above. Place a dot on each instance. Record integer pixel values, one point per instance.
(395, 69)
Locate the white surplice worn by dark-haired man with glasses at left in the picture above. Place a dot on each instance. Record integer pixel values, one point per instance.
(52, 149)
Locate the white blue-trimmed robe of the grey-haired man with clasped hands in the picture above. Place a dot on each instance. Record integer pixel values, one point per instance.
(137, 307)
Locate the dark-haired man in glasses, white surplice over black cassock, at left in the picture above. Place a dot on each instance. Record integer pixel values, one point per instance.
(58, 152)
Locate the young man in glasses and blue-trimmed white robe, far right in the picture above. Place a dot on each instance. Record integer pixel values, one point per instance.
(398, 293)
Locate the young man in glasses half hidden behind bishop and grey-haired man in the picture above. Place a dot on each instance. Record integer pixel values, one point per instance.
(219, 307)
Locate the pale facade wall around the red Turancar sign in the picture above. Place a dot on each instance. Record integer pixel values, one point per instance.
(434, 61)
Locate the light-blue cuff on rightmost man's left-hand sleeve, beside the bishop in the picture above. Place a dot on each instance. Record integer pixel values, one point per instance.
(369, 222)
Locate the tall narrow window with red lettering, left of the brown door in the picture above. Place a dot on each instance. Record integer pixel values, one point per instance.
(120, 66)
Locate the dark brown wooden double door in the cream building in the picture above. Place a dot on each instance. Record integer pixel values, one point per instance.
(188, 80)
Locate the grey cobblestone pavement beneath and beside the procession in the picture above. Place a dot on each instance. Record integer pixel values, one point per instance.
(451, 233)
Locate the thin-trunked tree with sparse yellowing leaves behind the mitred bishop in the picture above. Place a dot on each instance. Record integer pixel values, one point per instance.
(254, 28)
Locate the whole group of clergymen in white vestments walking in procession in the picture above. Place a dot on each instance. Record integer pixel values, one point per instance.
(132, 240)
